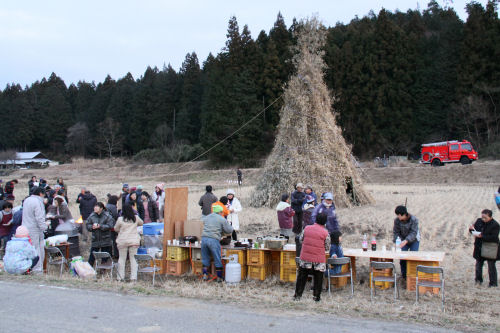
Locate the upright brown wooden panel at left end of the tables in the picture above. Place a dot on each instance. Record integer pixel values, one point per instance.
(176, 203)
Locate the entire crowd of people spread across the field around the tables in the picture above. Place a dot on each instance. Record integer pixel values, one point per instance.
(112, 227)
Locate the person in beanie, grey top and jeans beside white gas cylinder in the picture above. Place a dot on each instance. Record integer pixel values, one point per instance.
(214, 226)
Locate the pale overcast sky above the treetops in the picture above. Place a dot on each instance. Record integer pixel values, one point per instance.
(86, 40)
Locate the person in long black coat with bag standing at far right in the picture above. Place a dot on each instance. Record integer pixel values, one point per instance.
(489, 229)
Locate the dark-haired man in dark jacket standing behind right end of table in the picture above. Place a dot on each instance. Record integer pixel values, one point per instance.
(406, 228)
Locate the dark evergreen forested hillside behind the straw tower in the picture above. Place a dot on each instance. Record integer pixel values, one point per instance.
(399, 80)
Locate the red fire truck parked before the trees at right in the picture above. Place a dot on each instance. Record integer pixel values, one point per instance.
(439, 153)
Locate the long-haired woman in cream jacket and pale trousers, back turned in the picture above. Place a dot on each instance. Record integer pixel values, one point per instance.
(128, 241)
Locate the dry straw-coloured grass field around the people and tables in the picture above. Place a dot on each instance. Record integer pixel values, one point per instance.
(446, 200)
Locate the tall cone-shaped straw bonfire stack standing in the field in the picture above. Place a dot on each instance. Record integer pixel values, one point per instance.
(309, 147)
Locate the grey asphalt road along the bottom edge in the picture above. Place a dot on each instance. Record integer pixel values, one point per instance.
(38, 308)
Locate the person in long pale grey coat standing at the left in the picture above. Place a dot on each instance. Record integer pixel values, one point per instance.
(34, 221)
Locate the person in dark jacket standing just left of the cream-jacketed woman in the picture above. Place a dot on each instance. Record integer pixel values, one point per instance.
(100, 224)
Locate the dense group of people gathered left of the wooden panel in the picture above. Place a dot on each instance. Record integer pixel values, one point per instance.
(110, 227)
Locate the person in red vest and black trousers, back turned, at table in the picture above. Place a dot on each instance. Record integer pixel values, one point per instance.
(315, 241)
